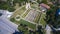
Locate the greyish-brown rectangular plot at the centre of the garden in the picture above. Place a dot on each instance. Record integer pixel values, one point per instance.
(32, 16)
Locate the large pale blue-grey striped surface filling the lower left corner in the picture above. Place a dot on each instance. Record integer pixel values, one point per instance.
(6, 26)
